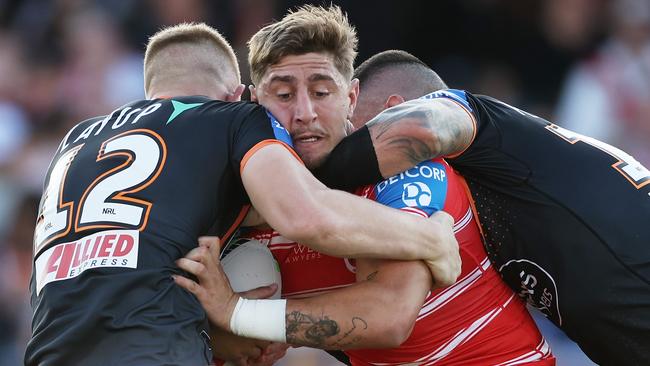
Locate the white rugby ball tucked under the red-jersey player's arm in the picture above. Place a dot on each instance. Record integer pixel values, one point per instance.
(251, 265)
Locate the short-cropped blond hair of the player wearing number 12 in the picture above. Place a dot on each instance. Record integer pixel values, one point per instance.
(203, 49)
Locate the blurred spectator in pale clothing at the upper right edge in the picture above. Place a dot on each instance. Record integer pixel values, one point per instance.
(607, 96)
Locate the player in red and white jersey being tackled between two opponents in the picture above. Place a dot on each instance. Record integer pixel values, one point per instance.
(302, 68)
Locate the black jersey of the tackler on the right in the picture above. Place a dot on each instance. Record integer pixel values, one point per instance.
(566, 220)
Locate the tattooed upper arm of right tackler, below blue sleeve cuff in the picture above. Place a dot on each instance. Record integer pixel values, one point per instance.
(418, 130)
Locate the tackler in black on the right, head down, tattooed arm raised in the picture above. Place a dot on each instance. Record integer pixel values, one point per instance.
(565, 217)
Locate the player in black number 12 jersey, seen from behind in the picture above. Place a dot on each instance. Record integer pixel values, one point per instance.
(127, 194)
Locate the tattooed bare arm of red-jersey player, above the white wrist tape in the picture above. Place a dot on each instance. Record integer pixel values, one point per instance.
(379, 311)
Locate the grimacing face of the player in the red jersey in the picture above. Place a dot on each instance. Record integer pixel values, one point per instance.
(312, 100)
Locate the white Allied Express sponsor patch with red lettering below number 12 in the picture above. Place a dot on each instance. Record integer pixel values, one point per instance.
(112, 248)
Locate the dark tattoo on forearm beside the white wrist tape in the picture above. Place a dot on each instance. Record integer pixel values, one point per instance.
(312, 331)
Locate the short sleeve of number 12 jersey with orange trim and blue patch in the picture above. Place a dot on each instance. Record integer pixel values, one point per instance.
(256, 130)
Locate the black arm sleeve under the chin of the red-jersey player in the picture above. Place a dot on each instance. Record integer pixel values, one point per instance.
(352, 163)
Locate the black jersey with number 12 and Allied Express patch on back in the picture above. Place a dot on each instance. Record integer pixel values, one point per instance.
(125, 196)
